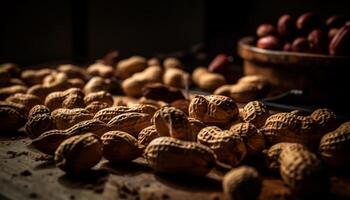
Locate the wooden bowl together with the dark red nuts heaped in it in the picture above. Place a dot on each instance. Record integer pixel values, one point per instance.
(309, 53)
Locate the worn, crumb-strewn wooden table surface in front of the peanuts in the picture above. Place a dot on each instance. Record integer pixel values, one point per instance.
(28, 174)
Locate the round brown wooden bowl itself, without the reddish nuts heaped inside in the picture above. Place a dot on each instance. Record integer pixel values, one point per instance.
(321, 77)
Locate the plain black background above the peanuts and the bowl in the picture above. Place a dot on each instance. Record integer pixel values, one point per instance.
(36, 31)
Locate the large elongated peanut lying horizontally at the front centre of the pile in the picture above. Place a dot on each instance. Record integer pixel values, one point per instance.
(170, 155)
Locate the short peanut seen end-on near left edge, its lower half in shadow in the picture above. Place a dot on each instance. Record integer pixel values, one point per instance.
(39, 121)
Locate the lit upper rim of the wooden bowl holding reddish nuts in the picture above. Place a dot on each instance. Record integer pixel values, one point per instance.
(245, 45)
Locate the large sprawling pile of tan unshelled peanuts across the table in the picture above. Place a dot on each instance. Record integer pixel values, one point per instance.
(69, 113)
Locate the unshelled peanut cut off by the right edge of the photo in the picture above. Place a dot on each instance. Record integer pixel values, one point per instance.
(335, 146)
